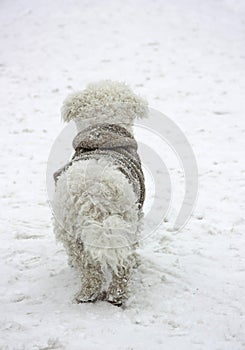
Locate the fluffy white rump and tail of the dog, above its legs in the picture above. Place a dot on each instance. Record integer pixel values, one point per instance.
(96, 206)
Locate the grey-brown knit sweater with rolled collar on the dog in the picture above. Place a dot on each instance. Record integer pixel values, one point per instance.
(117, 145)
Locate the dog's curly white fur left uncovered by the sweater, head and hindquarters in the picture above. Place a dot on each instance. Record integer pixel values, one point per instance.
(96, 215)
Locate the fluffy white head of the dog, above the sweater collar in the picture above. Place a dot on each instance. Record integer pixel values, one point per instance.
(104, 102)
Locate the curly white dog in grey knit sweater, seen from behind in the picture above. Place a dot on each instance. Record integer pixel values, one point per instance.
(99, 193)
